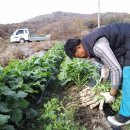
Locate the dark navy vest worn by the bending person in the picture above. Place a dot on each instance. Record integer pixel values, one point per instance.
(118, 35)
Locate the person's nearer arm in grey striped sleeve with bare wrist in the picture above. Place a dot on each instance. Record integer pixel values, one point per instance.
(104, 52)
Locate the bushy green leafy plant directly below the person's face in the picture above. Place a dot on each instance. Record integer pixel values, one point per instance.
(77, 71)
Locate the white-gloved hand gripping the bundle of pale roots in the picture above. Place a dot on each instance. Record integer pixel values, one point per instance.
(108, 98)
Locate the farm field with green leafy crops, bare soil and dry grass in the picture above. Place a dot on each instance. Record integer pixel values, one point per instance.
(41, 89)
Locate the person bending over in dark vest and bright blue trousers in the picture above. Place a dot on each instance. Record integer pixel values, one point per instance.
(110, 44)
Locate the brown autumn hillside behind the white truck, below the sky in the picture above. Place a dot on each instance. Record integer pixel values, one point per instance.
(62, 25)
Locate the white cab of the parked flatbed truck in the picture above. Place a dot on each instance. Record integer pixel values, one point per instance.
(20, 35)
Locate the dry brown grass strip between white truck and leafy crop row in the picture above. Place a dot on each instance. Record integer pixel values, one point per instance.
(21, 51)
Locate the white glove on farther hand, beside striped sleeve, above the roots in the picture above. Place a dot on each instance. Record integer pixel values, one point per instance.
(104, 73)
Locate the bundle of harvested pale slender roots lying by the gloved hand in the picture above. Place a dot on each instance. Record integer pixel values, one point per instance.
(88, 98)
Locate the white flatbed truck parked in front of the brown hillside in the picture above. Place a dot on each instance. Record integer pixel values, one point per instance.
(23, 35)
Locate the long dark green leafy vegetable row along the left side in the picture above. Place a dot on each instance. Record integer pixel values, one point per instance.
(21, 81)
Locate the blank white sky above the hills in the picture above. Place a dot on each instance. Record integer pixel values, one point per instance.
(15, 11)
